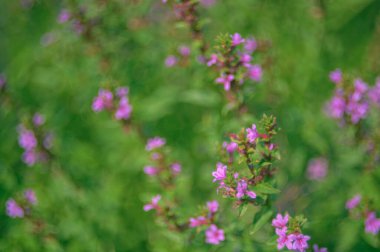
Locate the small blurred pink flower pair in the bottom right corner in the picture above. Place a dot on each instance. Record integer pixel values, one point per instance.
(371, 223)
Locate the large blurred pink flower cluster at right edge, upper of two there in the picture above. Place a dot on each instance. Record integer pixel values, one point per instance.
(353, 102)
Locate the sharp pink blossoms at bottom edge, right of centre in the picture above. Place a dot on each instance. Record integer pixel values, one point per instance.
(292, 240)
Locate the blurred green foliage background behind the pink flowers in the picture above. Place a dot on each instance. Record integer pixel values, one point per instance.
(91, 197)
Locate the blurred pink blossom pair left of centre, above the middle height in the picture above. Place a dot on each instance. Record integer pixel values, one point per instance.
(118, 105)
